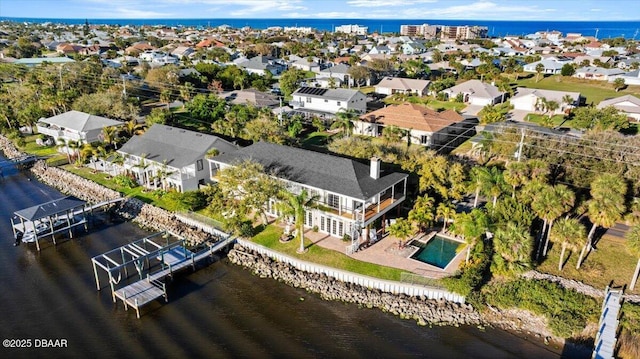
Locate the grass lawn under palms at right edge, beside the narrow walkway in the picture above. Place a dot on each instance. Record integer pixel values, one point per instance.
(610, 262)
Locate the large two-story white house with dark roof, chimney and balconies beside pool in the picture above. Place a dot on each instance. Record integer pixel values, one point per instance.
(350, 195)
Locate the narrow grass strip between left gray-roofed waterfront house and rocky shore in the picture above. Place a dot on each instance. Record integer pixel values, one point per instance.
(137, 192)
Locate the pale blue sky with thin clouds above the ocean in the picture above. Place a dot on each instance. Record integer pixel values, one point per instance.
(557, 10)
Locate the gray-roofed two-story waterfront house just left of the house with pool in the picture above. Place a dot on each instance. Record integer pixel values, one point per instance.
(170, 157)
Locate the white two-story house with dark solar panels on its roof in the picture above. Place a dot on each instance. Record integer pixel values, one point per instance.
(328, 101)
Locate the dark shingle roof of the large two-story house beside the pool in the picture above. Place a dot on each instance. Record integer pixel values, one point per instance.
(335, 174)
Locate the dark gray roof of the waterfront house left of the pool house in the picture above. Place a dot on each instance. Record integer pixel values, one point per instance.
(174, 145)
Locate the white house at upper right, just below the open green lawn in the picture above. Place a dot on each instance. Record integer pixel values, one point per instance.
(530, 100)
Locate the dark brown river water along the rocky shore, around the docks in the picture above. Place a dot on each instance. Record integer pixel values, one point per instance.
(220, 311)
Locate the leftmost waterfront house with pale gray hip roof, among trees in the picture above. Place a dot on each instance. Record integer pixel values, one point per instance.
(74, 126)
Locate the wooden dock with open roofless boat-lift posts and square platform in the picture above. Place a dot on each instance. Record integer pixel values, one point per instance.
(172, 258)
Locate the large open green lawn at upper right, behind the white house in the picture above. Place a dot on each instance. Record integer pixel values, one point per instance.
(594, 91)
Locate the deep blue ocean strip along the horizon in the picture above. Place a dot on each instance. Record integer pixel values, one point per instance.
(604, 29)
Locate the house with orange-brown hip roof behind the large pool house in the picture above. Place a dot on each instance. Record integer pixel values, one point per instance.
(424, 126)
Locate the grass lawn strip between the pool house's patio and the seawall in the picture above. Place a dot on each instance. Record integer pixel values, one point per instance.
(270, 237)
